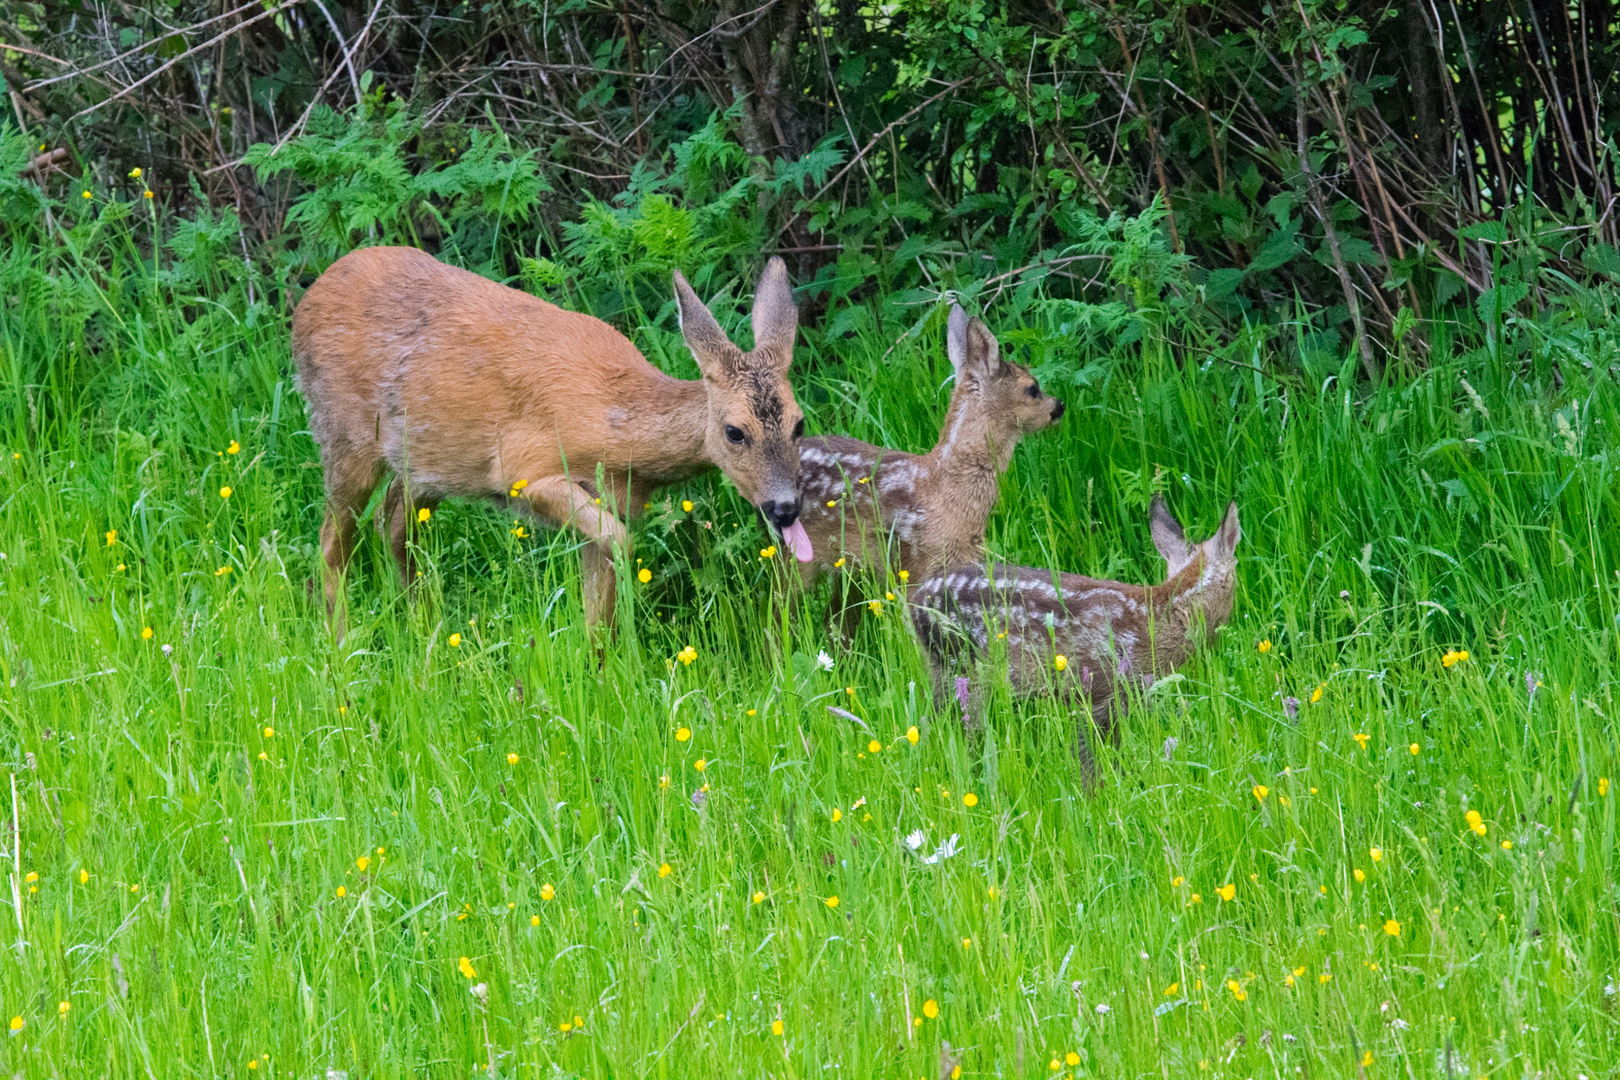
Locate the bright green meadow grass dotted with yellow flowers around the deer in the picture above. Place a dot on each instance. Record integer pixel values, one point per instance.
(189, 861)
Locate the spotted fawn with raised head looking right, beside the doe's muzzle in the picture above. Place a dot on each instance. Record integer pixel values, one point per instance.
(918, 514)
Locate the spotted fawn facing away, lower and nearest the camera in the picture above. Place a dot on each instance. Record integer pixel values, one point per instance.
(1081, 639)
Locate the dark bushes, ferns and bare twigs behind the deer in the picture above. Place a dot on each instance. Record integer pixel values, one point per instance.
(1362, 176)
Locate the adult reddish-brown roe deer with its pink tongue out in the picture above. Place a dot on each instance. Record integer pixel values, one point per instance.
(466, 388)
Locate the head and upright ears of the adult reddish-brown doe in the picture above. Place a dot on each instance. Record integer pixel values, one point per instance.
(754, 422)
